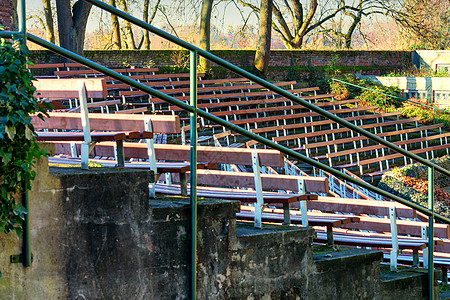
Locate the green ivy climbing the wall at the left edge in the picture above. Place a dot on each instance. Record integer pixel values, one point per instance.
(18, 148)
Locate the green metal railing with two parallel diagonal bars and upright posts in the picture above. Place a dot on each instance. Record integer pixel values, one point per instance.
(194, 111)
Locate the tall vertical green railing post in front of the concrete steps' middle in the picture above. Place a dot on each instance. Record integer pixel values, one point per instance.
(193, 195)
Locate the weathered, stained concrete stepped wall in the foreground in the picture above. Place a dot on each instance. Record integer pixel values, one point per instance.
(96, 235)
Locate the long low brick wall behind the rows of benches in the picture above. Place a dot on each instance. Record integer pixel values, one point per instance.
(305, 62)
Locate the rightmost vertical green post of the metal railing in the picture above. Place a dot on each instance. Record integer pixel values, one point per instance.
(431, 232)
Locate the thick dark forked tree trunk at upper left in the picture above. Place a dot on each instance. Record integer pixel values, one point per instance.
(72, 24)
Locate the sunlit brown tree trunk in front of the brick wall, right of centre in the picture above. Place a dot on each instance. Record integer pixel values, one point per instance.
(262, 55)
